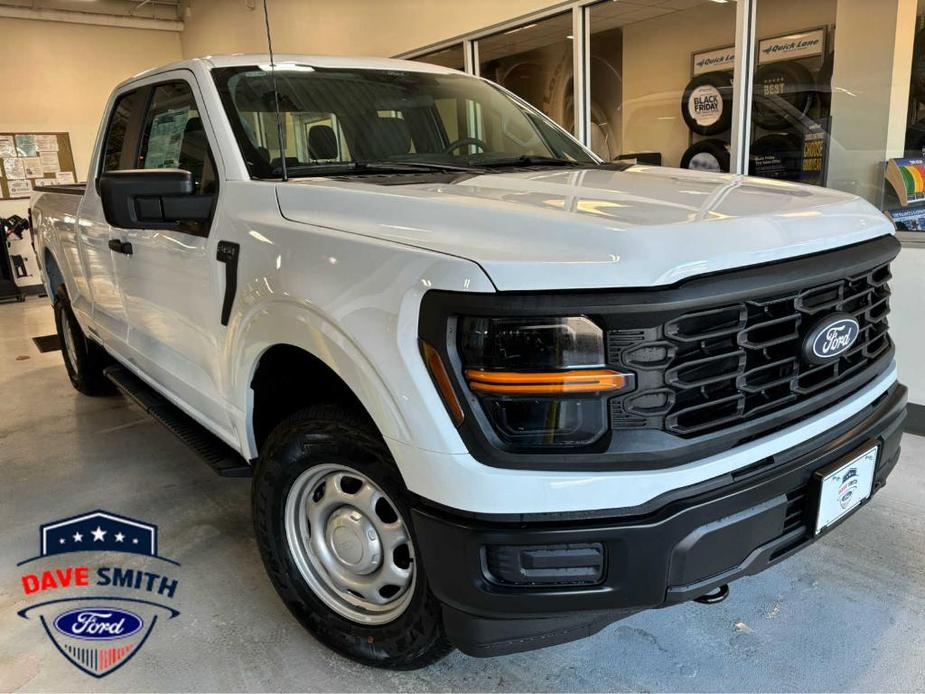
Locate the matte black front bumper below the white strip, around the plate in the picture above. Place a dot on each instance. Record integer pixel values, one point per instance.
(709, 535)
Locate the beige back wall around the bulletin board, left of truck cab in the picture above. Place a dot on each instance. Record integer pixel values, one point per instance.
(58, 77)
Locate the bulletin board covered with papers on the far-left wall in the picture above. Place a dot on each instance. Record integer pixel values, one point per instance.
(30, 160)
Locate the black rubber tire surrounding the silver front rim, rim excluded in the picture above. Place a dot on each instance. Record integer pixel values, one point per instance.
(324, 434)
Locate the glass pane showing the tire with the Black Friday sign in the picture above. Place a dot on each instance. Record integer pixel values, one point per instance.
(661, 81)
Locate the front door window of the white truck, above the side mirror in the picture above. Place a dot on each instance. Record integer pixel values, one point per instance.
(173, 136)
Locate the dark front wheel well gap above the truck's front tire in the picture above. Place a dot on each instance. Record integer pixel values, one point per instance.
(288, 379)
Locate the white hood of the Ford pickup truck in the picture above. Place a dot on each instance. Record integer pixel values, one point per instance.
(595, 228)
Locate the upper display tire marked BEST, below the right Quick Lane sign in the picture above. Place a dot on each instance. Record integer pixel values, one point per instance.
(783, 95)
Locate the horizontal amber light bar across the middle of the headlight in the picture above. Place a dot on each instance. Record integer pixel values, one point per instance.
(555, 382)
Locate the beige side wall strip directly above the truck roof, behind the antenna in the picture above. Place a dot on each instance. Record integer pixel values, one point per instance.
(340, 27)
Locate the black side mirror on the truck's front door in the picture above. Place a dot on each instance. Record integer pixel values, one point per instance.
(152, 199)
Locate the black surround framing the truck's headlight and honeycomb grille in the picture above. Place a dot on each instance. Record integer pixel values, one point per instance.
(646, 308)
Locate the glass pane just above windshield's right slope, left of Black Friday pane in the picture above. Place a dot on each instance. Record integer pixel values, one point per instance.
(535, 62)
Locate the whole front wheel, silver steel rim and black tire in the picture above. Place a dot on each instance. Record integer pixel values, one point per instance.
(332, 523)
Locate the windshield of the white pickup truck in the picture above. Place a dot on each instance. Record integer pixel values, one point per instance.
(336, 119)
